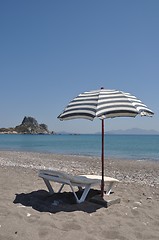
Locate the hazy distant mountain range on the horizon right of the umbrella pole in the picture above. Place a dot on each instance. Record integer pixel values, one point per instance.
(134, 131)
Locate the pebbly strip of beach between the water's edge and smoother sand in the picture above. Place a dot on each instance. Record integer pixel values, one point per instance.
(124, 170)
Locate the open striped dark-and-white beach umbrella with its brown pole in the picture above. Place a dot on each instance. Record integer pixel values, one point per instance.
(104, 103)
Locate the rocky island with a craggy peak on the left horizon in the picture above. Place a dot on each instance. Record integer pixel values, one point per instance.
(29, 125)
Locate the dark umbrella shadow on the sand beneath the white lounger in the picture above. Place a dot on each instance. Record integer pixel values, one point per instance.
(42, 201)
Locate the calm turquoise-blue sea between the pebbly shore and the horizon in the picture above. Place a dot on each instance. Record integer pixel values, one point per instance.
(136, 147)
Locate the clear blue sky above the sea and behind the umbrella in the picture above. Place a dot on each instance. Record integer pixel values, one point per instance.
(50, 51)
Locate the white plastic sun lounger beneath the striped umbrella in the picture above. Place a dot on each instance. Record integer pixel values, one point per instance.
(83, 181)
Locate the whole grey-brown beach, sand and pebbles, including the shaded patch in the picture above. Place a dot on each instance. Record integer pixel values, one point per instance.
(28, 212)
